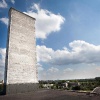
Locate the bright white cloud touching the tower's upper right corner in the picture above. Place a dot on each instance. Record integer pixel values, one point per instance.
(46, 21)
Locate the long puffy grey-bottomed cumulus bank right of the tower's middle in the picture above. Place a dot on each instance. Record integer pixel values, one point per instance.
(81, 52)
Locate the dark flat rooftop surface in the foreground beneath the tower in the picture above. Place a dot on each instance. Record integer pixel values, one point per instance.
(50, 95)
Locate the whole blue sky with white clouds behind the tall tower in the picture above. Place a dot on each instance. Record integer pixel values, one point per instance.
(67, 36)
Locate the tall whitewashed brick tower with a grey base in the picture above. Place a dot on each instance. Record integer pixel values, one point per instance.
(20, 70)
